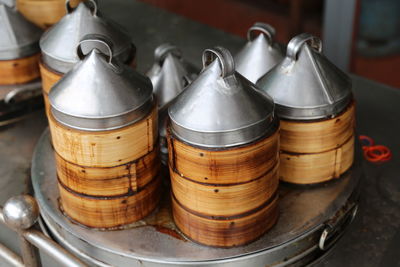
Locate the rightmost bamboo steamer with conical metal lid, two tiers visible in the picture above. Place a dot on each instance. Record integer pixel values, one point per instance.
(314, 101)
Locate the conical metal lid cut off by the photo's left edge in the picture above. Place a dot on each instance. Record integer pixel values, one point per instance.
(18, 37)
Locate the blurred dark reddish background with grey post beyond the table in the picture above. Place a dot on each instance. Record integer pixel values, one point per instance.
(360, 36)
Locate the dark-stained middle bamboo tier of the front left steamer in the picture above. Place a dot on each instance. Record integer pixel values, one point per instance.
(109, 181)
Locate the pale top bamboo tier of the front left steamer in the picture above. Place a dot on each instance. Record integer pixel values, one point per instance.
(105, 148)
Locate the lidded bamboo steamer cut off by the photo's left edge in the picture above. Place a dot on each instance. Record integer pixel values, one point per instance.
(19, 50)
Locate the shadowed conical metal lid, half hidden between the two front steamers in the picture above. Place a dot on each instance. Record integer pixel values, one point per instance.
(170, 73)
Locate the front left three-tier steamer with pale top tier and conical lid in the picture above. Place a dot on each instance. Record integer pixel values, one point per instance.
(103, 124)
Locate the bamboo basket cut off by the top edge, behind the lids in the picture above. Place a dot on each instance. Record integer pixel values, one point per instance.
(43, 13)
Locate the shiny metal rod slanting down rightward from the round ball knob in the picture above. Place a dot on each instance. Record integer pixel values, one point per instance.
(52, 249)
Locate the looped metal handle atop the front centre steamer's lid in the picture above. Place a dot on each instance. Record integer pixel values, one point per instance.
(224, 57)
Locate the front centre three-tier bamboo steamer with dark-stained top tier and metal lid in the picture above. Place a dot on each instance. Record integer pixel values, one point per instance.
(223, 156)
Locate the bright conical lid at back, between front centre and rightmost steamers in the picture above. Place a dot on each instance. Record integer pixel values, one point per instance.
(260, 54)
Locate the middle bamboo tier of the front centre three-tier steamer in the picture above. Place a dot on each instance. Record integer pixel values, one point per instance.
(224, 200)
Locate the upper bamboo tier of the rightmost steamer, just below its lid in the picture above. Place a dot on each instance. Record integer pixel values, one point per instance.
(315, 137)
